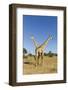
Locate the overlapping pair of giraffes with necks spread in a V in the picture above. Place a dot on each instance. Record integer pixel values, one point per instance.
(39, 49)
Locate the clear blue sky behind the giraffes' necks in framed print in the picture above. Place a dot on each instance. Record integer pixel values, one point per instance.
(40, 27)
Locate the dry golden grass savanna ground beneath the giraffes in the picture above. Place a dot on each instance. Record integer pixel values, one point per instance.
(49, 65)
